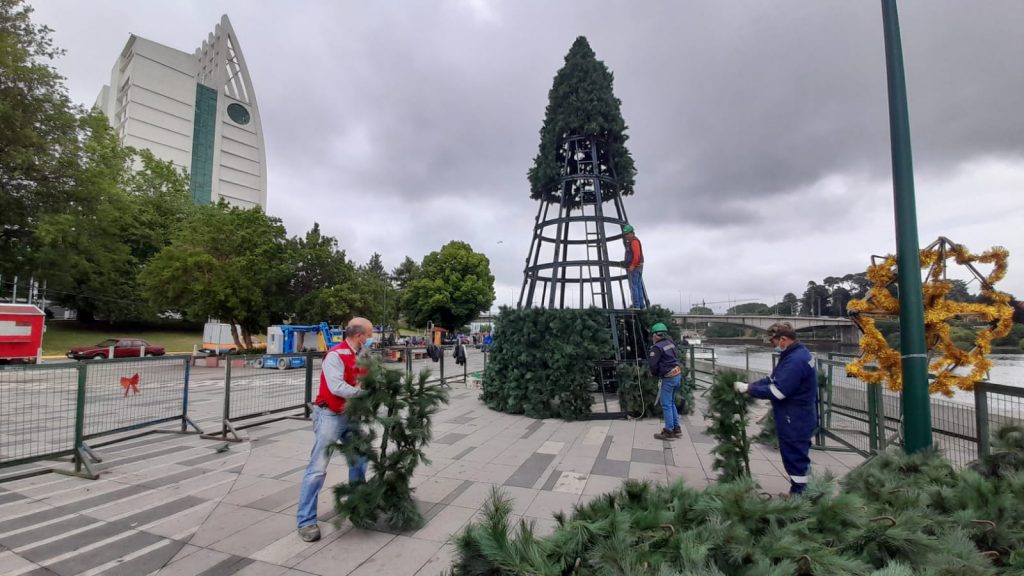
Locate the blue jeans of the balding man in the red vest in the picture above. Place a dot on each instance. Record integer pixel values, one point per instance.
(328, 429)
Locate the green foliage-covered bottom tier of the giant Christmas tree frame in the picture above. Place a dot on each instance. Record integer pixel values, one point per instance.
(542, 362)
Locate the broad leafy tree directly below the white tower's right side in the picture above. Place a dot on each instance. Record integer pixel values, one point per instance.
(224, 263)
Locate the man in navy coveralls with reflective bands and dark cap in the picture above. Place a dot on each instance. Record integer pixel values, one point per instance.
(793, 390)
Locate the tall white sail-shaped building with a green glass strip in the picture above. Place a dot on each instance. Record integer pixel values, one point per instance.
(196, 110)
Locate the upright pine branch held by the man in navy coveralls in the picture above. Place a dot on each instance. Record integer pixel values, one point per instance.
(729, 413)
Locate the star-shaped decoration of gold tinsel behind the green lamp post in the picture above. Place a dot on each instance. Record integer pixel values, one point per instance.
(945, 357)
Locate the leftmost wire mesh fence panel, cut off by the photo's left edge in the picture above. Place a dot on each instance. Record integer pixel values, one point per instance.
(37, 413)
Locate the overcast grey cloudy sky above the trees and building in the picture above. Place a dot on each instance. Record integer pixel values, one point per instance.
(759, 130)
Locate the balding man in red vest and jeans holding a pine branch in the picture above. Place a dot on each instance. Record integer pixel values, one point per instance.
(339, 382)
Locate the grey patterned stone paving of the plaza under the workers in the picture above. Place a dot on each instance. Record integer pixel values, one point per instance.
(175, 505)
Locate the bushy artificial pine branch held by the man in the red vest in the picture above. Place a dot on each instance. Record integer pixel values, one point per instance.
(402, 409)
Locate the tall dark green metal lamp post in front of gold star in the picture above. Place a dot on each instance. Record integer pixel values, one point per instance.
(917, 406)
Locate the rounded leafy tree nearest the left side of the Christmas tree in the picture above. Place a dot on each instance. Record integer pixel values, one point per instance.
(454, 286)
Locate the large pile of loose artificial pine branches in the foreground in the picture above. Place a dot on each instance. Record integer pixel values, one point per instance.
(894, 516)
